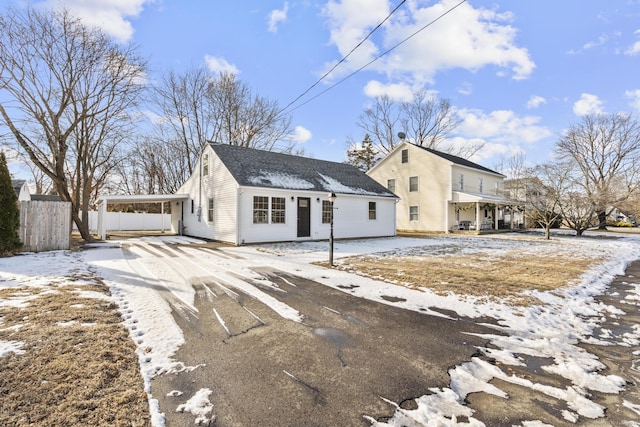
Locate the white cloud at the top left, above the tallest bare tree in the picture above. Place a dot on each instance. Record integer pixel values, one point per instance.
(109, 15)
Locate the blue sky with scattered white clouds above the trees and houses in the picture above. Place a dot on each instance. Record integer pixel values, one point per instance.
(517, 72)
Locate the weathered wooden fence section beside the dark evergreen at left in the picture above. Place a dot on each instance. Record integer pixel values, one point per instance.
(45, 225)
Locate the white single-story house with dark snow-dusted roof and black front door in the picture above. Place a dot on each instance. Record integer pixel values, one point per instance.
(242, 195)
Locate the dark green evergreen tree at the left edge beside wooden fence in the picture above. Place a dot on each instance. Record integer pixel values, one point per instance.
(9, 212)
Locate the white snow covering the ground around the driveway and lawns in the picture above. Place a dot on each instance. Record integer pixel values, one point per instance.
(552, 330)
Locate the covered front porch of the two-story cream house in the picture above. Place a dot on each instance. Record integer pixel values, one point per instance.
(481, 213)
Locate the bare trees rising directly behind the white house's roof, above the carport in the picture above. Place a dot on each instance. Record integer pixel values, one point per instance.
(197, 107)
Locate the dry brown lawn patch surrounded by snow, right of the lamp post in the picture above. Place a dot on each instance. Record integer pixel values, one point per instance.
(492, 276)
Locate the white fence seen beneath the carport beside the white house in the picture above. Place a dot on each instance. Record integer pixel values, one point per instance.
(129, 221)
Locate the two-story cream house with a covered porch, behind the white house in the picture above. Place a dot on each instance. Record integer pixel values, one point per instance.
(440, 192)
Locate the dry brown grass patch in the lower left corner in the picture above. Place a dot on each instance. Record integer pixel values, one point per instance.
(79, 367)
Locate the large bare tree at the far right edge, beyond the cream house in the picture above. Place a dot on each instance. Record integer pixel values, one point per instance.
(606, 150)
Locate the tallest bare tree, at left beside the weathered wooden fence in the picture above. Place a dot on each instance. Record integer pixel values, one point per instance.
(70, 90)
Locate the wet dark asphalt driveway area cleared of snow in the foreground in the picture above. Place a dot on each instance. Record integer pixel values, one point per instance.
(334, 368)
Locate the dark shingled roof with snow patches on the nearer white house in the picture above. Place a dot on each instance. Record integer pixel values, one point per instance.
(257, 168)
